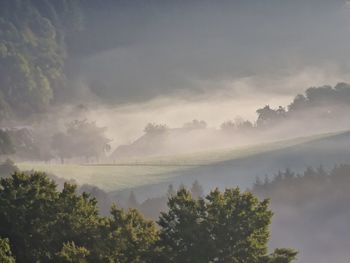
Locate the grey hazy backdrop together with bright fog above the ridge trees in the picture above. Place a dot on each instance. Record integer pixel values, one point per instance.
(217, 58)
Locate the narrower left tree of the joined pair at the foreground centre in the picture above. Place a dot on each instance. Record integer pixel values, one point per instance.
(182, 238)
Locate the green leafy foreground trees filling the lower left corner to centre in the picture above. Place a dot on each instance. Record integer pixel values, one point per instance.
(44, 224)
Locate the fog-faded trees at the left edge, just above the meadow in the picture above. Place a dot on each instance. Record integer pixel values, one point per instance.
(79, 140)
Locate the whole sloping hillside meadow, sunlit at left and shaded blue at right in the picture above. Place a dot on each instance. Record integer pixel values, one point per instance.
(227, 167)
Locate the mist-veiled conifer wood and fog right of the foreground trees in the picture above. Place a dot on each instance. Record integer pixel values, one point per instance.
(311, 211)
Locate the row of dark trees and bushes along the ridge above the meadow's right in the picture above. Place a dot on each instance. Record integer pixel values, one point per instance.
(325, 102)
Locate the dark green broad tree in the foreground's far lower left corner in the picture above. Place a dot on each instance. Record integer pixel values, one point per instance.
(38, 219)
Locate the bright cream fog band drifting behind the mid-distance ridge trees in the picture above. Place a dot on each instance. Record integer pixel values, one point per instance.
(231, 100)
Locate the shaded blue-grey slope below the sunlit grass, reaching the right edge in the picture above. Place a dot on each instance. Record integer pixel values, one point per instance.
(326, 151)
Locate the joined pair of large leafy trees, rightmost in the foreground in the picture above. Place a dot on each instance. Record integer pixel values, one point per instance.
(227, 226)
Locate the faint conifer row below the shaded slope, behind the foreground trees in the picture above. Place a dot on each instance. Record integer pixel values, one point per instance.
(324, 189)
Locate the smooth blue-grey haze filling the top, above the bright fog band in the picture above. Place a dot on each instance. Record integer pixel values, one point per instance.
(173, 47)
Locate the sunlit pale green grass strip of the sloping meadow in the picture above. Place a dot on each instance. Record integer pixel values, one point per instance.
(114, 177)
